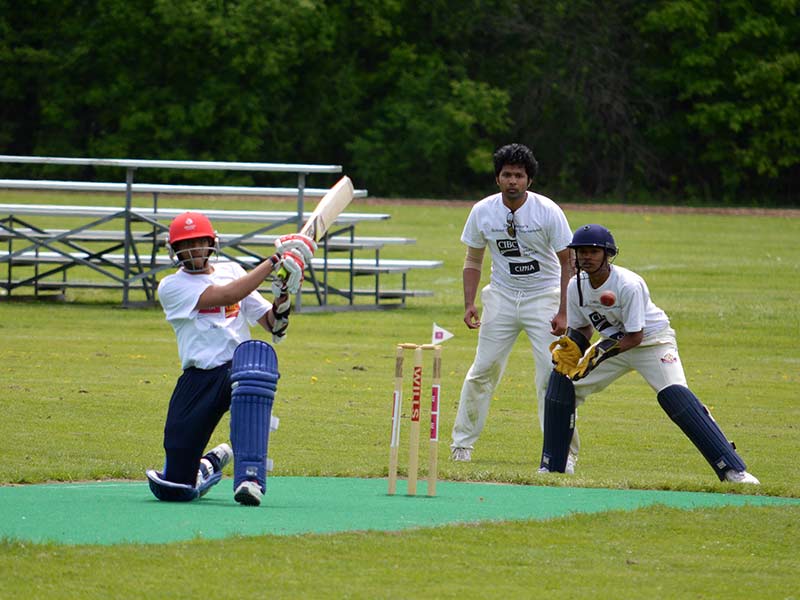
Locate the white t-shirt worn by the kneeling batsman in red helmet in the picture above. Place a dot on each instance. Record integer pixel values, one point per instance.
(208, 337)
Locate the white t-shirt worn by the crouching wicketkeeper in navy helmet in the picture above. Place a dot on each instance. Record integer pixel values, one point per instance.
(632, 310)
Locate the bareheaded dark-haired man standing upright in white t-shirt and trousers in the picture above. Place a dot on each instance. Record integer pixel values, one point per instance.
(527, 235)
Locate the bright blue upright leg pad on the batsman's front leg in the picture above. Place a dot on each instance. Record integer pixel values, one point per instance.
(254, 376)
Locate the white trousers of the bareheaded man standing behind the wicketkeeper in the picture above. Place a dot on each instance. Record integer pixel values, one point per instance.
(505, 314)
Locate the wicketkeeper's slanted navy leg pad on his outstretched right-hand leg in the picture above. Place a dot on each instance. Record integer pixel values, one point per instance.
(693, 418)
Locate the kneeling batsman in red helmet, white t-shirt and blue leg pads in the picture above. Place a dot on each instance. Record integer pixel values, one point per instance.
(211, 307)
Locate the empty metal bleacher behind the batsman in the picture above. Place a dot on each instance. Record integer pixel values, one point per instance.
(131, 257)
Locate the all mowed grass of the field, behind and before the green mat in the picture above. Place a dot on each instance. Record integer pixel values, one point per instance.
(84, 387)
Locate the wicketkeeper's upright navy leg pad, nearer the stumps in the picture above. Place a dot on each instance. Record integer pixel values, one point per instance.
(559, 422)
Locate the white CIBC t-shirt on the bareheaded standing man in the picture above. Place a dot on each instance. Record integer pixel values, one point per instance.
(528, 262)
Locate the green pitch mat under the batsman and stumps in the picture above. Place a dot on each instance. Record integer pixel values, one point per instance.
(122, 512)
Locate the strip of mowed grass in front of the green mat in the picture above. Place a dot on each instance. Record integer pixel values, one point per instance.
(653, 553)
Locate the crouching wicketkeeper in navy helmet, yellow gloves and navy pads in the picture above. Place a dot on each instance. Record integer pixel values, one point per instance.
(635, 336)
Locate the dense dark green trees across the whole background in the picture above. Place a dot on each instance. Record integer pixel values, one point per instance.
(693, 98)
